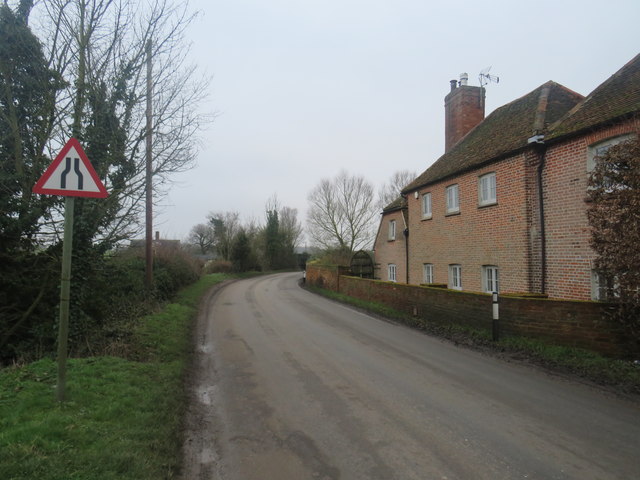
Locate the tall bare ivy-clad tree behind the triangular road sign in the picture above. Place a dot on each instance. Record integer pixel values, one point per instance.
(98, 48)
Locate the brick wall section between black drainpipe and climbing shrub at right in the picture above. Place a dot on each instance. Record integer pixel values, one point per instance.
(569, 256)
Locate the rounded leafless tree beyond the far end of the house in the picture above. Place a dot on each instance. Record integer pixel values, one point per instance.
(342, 213)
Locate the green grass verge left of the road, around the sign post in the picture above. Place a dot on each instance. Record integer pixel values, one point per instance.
(122, 419)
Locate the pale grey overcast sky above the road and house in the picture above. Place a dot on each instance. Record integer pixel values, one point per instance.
(305, 88)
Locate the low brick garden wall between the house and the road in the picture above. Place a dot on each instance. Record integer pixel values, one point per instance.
(562, 322)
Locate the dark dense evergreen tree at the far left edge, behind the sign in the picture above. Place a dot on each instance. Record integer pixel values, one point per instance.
(27, 97)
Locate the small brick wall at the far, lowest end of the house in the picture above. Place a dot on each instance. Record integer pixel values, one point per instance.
(391, 251)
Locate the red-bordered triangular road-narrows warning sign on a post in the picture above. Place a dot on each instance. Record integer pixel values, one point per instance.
(71, 174)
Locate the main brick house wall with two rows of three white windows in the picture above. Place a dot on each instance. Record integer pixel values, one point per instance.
(493, 235)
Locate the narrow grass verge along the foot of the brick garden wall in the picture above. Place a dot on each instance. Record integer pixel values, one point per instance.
(621, 375)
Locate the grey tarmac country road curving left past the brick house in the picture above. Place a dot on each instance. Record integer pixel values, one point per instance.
(289, 385)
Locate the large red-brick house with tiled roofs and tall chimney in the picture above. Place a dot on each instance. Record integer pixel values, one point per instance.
(504, 208)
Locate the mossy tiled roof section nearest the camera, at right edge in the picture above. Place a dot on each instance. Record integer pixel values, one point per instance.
(617, 97)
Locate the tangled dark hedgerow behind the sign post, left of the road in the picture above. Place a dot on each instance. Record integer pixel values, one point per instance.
(108, 296)
